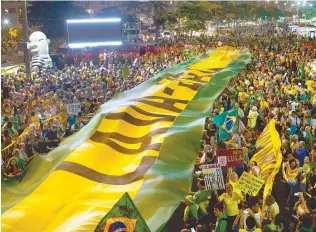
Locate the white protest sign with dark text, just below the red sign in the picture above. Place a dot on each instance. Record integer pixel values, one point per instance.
(213, 177)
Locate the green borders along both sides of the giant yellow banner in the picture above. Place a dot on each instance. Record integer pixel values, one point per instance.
(170, 178)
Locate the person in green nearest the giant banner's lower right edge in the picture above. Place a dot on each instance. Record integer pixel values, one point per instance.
(190, 216)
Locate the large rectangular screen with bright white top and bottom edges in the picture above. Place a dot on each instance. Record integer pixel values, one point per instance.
(94, 32)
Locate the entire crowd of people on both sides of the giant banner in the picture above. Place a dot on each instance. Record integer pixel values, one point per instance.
(279, 83)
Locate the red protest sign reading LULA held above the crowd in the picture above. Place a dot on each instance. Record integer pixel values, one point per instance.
(230, 157)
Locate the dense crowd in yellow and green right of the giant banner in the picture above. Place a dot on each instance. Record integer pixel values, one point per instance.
(278, 84)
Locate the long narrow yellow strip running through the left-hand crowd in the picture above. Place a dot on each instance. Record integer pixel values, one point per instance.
(62, 118)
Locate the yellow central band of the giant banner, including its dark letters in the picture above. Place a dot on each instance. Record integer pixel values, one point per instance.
(77, 195)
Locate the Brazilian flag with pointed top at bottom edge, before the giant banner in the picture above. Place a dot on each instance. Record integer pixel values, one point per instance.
(124, 216)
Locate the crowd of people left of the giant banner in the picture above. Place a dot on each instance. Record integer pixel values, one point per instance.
(35, 103)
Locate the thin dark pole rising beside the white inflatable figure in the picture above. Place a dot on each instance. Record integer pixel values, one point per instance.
(25, 39)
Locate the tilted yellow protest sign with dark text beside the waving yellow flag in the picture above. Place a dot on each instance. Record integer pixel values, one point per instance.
(249, 184)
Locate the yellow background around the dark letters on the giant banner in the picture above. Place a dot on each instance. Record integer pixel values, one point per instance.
(69, 202)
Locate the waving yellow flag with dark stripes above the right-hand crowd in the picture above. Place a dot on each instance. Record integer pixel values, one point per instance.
(269, 157)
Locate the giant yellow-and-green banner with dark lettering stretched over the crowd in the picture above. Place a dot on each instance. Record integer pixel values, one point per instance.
(143, 141)
